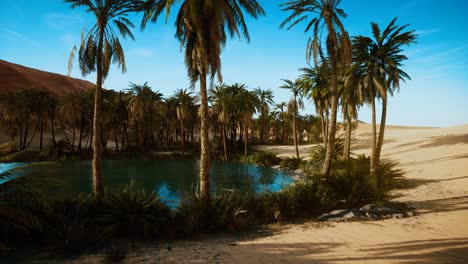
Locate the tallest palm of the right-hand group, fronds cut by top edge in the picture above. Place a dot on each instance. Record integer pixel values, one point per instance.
(338, 46)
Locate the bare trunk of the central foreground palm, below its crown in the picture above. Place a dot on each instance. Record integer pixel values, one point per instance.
(204, 141)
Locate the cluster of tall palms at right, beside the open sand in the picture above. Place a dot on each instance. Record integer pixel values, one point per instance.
(348, 71)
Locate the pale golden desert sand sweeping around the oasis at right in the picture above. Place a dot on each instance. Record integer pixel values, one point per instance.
(435, 159)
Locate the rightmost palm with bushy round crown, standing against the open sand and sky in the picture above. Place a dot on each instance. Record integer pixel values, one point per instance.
(380, 60)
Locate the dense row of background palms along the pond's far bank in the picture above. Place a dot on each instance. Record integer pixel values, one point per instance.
(142, 117)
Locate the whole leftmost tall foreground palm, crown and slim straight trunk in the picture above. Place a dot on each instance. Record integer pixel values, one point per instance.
(99, 47)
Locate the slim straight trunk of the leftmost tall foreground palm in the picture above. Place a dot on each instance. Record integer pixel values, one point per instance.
(98, 188)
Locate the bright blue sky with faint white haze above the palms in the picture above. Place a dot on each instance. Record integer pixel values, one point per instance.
(40, 34)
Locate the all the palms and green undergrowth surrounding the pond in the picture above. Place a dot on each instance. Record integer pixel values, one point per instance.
(348, 72)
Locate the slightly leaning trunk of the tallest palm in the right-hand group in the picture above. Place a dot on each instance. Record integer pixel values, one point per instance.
(331, 132)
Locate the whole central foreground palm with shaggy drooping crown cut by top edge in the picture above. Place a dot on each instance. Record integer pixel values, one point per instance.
(201, 30)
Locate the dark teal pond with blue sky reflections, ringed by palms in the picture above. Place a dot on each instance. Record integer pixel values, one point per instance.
(170, 179)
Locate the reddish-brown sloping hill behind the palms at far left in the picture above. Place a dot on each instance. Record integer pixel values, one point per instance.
(14, 77)
